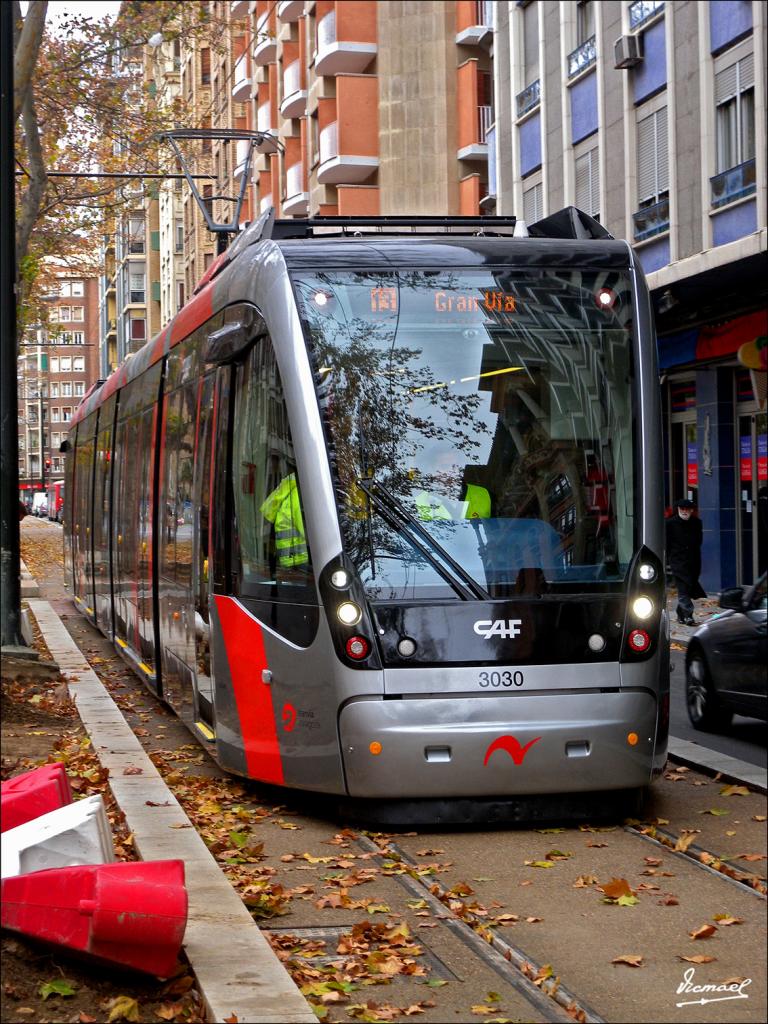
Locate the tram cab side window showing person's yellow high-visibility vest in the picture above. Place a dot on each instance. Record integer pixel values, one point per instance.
(270, 556)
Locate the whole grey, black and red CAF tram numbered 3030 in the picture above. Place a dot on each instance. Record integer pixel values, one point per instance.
(379, 514)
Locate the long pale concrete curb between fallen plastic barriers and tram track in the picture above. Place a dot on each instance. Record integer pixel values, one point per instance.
(237, 971)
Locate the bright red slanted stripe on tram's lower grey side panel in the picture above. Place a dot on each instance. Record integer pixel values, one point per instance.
(245, 654)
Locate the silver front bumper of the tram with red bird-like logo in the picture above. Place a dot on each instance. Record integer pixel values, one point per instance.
(498, 745)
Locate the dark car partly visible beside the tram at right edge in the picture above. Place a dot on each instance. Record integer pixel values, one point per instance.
(728, 659)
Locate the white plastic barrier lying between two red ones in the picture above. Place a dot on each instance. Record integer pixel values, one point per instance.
(78, 834)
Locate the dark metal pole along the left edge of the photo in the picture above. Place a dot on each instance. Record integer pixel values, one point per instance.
(11, 588)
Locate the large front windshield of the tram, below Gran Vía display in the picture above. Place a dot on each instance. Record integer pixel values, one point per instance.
(482, 426)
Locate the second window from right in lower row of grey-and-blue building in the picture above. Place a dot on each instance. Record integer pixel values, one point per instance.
(653, 177)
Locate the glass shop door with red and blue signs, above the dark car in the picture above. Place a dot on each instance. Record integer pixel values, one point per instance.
(753, 495)
